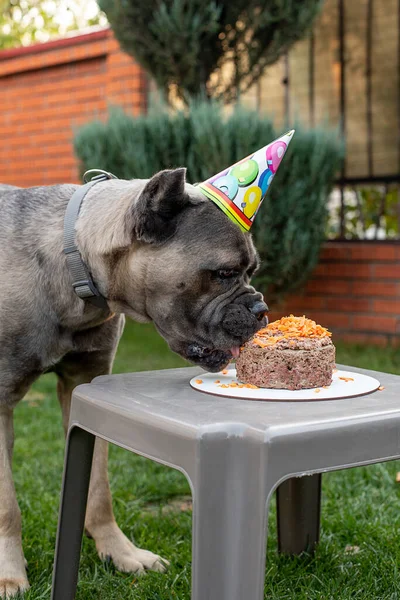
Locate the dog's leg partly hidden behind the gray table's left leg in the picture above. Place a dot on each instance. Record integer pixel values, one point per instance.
(100, 523)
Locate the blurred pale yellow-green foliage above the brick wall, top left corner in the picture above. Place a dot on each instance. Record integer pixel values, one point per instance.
(25, 22)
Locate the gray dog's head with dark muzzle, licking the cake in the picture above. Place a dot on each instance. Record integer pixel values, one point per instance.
(189, 271)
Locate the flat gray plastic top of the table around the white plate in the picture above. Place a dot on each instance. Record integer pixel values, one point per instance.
(167, 395)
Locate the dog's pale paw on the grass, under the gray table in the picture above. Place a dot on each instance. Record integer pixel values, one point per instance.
(113, 545)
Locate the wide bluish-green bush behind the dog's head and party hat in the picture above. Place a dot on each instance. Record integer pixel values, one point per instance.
(290, 226)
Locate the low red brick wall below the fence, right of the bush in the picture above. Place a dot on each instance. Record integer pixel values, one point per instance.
(354, 291)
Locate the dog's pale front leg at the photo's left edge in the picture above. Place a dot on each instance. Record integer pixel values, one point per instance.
(12, 563)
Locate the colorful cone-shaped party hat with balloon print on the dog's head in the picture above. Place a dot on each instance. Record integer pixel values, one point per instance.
(240, 189)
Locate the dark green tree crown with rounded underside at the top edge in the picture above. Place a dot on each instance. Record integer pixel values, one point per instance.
(216, 48)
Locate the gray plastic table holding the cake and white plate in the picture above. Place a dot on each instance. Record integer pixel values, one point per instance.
(235, 453)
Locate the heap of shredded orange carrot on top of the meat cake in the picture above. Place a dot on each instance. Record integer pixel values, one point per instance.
(289, 327)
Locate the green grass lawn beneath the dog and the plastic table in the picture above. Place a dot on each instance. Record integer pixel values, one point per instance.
(361, 507)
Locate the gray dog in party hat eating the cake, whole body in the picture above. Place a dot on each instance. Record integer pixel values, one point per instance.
(158, 251)
